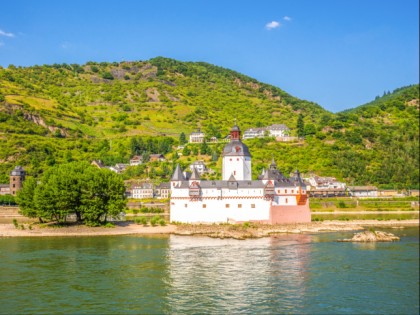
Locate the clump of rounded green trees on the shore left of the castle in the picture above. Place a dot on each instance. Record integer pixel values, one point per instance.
(78, 188)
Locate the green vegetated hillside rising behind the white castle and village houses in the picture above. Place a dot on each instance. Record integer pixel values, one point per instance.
(55, 113)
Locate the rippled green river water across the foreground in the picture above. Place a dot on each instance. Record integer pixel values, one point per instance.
(293, 274)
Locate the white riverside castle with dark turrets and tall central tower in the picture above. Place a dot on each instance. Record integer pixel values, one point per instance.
(272, 199)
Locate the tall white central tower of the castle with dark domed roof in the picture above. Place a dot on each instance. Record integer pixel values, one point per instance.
(236, 158)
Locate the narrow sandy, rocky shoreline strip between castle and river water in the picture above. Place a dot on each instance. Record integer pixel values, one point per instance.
(217, 231)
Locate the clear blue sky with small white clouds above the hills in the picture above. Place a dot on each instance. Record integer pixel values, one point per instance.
(337, 53)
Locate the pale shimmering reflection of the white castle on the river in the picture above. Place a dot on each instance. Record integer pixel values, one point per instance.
(210, 275)
